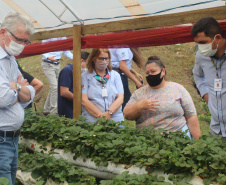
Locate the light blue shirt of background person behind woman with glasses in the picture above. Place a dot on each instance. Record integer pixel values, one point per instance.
(120, 54)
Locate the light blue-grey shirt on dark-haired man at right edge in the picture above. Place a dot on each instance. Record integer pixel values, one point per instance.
(204, 74)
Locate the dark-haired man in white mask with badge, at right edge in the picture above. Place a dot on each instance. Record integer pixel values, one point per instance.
(210, 71)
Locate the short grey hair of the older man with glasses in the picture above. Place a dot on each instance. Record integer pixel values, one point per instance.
(13, 20)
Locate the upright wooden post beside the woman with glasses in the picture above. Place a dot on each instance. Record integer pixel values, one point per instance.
(77, 71)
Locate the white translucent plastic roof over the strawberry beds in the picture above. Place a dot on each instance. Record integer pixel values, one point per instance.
(57, 14)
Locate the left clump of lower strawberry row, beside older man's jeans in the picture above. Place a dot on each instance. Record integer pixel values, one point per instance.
(44, 166)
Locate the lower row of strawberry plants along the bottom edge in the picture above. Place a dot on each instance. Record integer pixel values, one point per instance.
(44, 166)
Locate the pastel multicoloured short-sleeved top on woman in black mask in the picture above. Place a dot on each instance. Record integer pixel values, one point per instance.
(175, 102)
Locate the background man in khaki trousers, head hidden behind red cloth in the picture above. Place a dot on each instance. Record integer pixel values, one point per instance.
(51, 69)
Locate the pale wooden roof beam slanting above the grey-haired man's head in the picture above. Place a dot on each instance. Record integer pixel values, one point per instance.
(20, 10)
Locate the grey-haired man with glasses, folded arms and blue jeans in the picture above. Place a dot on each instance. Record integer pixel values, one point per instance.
(15, 93)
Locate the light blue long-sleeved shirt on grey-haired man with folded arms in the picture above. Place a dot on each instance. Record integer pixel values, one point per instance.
(11, 116)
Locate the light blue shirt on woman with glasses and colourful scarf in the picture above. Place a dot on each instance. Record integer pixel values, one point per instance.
(93, 88)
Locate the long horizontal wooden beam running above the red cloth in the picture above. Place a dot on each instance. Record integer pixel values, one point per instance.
(218, 13)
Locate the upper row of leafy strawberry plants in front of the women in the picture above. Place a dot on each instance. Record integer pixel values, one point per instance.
(106, 141)
